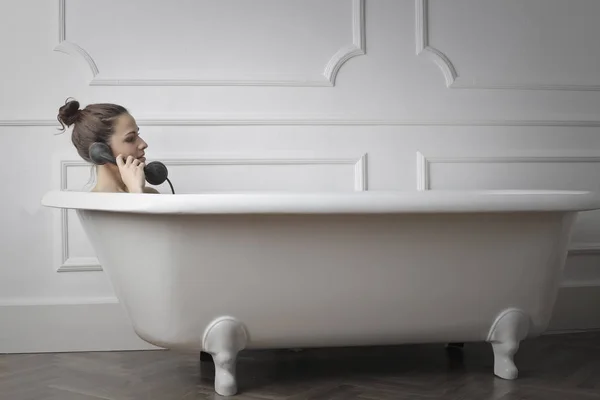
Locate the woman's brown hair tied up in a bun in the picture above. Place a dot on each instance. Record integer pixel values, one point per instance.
(95, 123)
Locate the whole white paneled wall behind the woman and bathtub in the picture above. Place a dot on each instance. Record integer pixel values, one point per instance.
(296, 95)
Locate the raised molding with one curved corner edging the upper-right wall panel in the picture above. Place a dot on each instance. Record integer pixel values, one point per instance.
(453, 79)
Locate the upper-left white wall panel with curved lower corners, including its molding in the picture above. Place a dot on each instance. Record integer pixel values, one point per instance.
(234, 41)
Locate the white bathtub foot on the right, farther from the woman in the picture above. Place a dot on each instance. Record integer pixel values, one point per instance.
(509, 329)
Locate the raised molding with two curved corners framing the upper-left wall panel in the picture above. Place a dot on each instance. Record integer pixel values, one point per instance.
(326, 79)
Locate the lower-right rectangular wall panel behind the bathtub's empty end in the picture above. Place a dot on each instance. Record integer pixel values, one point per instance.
(575, 171)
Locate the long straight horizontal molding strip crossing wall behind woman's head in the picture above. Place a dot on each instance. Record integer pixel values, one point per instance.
(272, 120)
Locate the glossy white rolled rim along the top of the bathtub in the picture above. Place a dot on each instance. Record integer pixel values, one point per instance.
(367, 202)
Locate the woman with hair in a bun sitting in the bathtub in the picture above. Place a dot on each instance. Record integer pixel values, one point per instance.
(111, 124)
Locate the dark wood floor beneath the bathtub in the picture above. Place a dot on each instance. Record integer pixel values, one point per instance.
(565, 367)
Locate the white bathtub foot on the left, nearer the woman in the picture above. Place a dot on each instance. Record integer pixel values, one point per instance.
(224, 338)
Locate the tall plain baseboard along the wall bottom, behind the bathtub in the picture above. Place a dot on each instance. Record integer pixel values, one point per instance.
(104, 326)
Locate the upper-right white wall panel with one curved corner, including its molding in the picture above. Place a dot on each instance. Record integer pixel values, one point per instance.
(533, 44)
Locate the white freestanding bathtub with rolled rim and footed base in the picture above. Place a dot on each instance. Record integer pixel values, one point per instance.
(222, 272)
